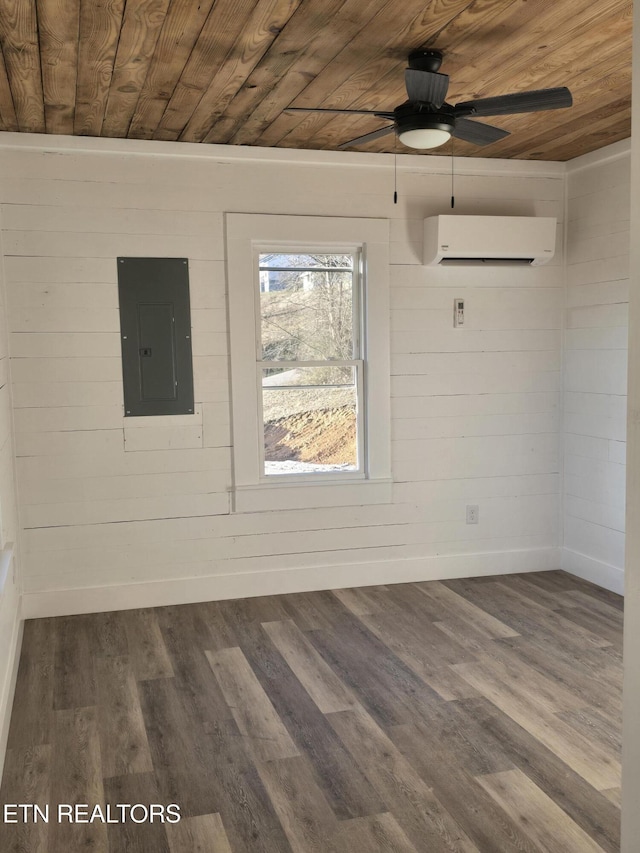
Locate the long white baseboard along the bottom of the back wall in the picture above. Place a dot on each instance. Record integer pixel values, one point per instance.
(66, 602)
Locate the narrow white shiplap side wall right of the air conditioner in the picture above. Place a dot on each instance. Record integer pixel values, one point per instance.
(595, 365)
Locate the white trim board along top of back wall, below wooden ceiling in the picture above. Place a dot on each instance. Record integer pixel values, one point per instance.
(53, 144)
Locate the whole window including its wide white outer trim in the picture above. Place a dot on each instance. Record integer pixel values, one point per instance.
(308, 305)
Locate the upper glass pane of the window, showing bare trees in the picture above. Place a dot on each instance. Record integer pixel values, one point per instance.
(307, 313)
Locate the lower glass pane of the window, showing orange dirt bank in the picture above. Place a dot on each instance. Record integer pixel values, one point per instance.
(310, 423)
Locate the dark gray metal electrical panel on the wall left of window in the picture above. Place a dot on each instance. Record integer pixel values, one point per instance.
(155, 326)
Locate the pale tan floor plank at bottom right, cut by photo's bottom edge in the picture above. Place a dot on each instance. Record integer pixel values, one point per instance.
(547, 825)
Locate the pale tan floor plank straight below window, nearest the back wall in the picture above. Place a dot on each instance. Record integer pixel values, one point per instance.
(311, 670)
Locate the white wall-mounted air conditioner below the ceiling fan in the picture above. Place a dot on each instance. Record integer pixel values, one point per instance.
(489, 240)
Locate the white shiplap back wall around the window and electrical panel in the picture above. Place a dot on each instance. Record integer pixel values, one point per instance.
(122, 513)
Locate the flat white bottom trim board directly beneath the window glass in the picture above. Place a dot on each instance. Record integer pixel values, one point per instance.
(269, 497)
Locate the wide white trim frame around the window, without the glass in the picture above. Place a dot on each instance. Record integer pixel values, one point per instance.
(245, 231)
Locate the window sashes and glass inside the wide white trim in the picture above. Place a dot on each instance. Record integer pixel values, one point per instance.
(310, 369)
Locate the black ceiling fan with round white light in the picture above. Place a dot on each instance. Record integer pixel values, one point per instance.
(427, 121)
